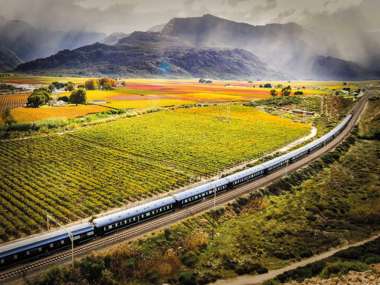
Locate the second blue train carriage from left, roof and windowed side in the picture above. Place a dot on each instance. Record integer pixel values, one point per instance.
(135, 215)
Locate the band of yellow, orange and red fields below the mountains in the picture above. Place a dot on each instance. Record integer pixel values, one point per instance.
(145, 94)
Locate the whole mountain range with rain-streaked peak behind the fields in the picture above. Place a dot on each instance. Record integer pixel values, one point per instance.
(206, 46)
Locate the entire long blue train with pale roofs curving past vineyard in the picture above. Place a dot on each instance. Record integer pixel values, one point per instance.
(45, 244)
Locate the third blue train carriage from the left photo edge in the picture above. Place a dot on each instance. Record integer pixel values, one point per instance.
(196, 194)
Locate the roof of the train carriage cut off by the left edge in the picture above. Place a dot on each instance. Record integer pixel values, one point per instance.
(43, 239)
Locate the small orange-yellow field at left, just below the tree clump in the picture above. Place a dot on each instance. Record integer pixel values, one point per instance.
(23, 115)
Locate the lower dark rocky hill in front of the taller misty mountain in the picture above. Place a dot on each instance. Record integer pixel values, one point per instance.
(131, 57)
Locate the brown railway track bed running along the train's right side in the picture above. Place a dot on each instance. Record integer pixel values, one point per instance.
(13, 274)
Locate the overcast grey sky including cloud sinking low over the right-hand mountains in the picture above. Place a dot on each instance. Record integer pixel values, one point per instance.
(353, 26)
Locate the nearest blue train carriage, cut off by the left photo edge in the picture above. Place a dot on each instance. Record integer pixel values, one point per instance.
(40, 245)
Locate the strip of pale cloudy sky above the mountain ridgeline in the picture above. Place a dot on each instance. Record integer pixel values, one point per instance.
(131, 15)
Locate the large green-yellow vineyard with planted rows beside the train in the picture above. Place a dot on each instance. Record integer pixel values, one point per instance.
(79, 174)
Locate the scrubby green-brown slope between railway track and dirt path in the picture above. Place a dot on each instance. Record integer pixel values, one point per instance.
(333, 201)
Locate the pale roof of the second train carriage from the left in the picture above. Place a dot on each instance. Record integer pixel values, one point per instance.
(131, 212)
